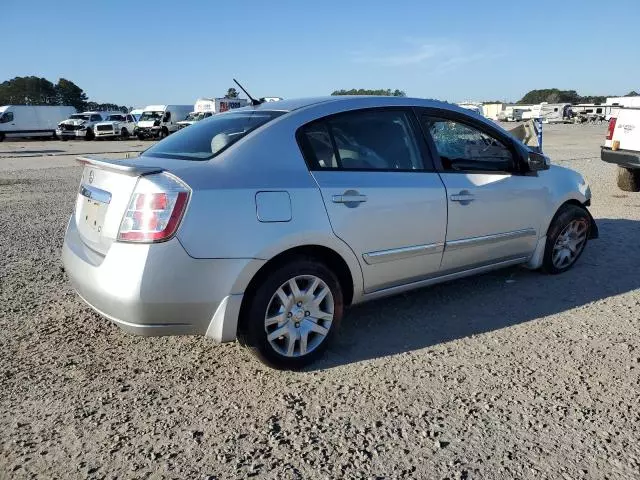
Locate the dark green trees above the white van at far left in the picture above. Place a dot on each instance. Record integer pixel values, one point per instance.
(40, 91)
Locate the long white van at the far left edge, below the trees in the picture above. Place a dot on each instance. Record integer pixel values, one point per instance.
(31, 121)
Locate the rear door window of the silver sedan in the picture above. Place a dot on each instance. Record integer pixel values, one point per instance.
(364, 140)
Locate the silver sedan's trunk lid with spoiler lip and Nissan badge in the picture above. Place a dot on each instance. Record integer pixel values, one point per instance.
(104, 193)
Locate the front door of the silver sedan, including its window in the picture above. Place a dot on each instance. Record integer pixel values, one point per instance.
(495, 211)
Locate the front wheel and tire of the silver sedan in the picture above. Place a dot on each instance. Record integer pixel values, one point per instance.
(566, 239)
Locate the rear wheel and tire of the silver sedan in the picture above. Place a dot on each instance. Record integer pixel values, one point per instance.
(293, 314)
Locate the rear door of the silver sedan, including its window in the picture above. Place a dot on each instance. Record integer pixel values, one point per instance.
(382, 195)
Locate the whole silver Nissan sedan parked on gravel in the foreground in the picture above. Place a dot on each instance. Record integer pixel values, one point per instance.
(264, 223)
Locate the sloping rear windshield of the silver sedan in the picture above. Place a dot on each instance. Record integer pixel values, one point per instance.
(205, 139)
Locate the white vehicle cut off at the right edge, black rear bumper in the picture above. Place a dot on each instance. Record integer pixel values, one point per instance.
(622, 147)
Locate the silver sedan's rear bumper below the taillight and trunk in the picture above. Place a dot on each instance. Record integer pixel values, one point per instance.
(158, 289)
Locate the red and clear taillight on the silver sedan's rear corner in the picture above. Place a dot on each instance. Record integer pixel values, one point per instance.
(155, 209)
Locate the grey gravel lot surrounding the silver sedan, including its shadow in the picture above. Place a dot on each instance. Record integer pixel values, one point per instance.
(510, 375)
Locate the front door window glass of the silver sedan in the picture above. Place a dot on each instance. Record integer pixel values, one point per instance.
(463, 148)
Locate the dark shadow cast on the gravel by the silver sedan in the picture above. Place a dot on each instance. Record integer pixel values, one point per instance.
(500, 299)
